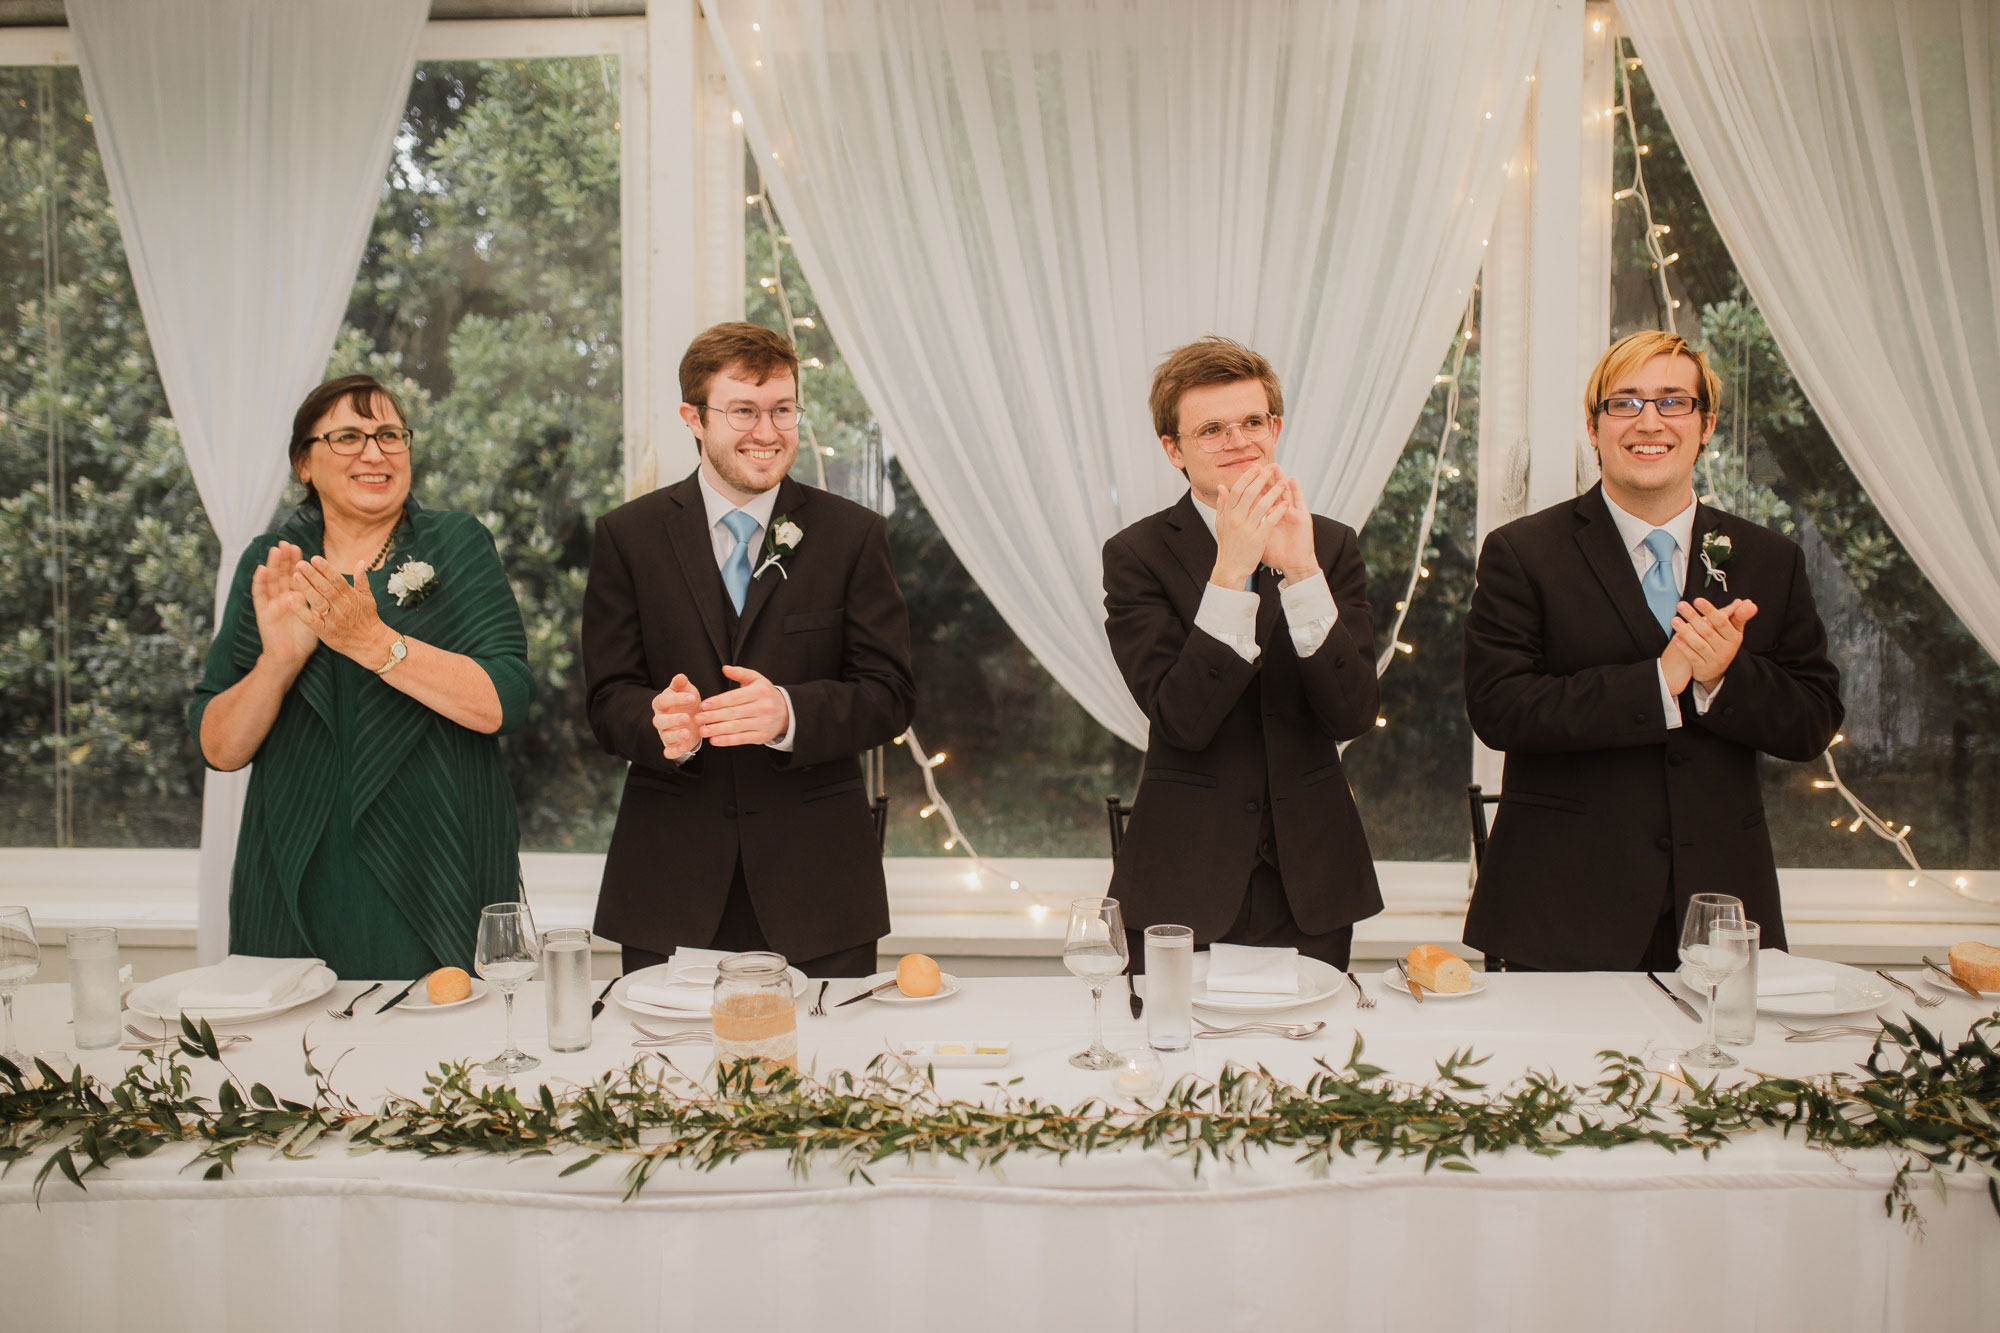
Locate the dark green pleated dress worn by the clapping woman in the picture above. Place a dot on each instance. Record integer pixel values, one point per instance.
(377, 830)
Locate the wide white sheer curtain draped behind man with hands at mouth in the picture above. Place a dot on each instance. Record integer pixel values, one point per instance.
(1013, 211)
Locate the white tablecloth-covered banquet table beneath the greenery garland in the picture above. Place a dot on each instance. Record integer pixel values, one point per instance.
(1765, 1234)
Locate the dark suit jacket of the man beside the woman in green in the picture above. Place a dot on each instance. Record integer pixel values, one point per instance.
(833, 631)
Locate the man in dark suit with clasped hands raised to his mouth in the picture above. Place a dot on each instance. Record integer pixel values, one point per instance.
(1243, 826)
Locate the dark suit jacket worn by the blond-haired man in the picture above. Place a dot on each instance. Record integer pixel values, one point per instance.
(1607, 812)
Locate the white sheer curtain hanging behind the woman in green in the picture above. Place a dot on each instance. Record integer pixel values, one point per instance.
(245, 145)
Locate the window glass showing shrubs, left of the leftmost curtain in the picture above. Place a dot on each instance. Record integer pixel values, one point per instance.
(107, 559)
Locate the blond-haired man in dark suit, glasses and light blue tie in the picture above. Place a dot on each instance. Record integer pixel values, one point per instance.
(1633, 651)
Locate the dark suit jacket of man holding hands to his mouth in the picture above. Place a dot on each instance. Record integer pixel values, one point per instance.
(1235, 740)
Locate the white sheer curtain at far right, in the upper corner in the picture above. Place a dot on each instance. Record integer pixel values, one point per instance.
(1851, 159)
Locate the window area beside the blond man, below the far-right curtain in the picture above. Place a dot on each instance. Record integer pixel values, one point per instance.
(1923, 730)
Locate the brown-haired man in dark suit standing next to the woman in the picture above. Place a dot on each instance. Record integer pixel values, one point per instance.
(743, 643)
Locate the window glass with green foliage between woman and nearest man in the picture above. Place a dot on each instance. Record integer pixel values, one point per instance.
(491, 301)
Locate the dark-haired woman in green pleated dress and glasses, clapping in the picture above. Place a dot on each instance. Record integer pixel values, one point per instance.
(369, 657)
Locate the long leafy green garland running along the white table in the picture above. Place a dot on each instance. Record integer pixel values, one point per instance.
(1935, 1108)
